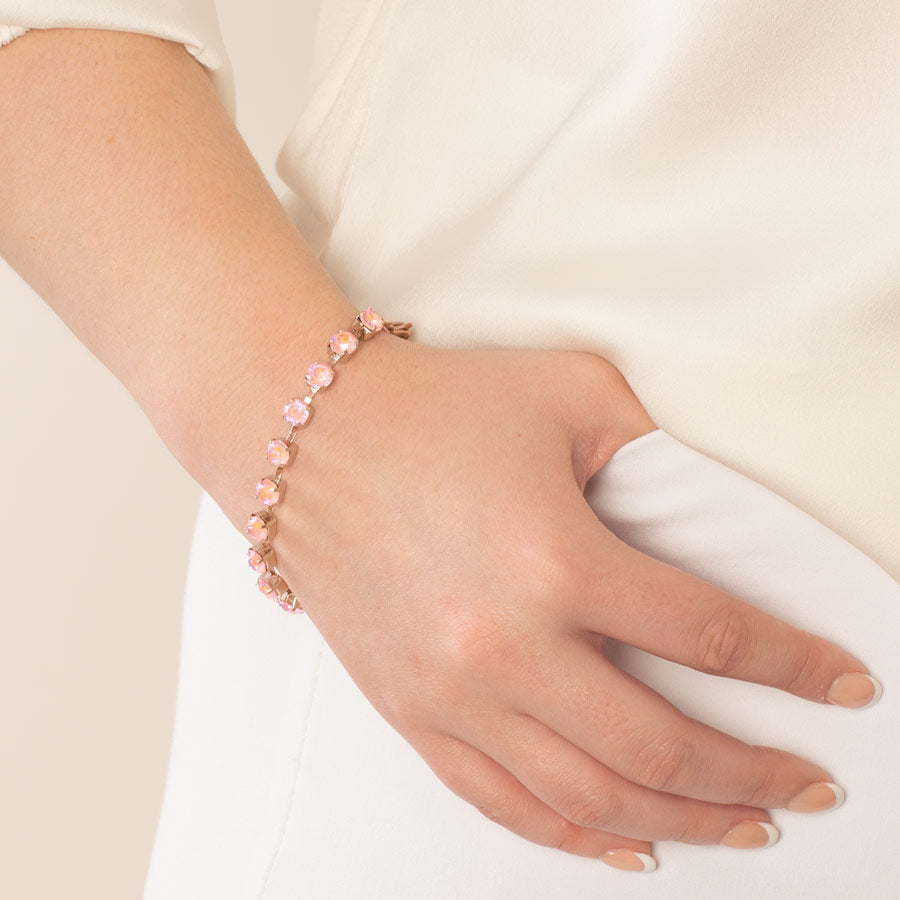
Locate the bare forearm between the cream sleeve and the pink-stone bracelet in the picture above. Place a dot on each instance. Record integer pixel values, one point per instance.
(130, 203)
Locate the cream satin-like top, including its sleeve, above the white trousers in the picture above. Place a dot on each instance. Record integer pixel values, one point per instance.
(707, 194)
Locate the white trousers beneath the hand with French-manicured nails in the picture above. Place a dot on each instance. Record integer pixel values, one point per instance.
(285, 784)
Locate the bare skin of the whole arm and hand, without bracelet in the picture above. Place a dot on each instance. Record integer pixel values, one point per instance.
(477, 585)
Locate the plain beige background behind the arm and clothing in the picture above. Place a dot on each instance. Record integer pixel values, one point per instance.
(96, 529)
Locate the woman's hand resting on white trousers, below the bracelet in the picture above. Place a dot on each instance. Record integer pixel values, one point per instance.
(439, 538)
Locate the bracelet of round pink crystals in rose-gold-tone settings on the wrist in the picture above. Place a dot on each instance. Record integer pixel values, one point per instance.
(261, 524)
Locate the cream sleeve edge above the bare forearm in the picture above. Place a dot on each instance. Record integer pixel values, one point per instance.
(193, 23)
